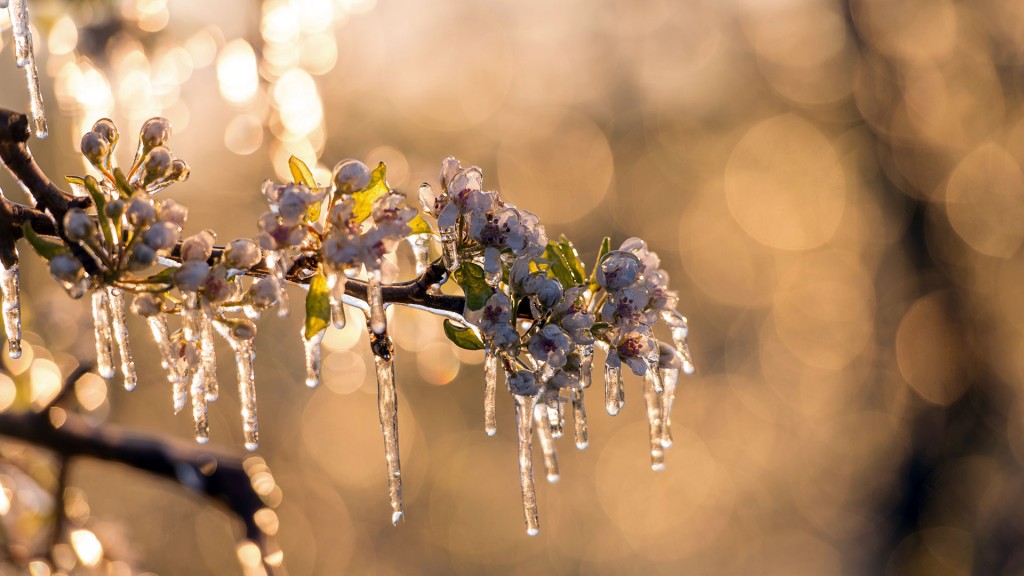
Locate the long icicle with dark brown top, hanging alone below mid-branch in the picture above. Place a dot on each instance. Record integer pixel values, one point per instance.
(388, 409)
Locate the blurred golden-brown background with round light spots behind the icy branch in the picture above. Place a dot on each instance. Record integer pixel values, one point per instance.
(836, 189)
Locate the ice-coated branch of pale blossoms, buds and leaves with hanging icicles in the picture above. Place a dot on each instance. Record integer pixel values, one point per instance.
(528, 302)
